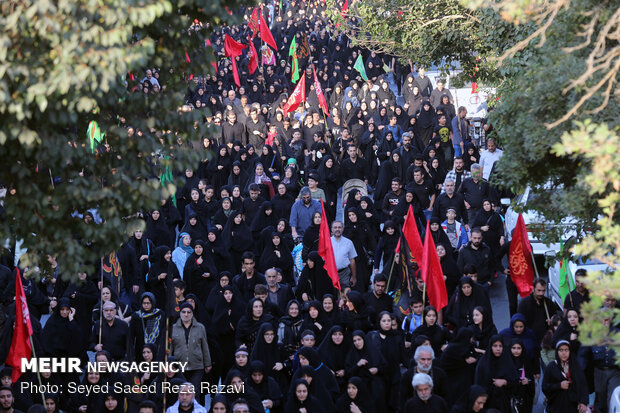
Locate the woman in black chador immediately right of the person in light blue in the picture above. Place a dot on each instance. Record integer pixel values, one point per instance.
(200, 272)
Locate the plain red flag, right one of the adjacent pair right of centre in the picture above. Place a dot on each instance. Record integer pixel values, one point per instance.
(432, 275)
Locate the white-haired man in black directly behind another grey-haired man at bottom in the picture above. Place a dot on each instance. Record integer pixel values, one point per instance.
(422, 363)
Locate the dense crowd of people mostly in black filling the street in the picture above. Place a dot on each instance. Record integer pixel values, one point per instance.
(227, 276)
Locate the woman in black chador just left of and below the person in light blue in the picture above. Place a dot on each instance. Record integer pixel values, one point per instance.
(160, 276)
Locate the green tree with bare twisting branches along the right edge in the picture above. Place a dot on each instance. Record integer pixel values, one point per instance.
(557, 121)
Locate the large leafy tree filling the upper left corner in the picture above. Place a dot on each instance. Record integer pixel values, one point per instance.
(65, 63)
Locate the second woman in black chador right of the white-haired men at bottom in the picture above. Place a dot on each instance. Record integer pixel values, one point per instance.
(497, 374)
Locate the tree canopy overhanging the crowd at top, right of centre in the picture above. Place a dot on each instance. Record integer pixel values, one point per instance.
(442, 33)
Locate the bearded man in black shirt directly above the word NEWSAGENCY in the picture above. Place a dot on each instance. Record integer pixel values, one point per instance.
(113, 333)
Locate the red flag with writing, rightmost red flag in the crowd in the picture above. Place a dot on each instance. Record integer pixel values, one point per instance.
(520, 259)
